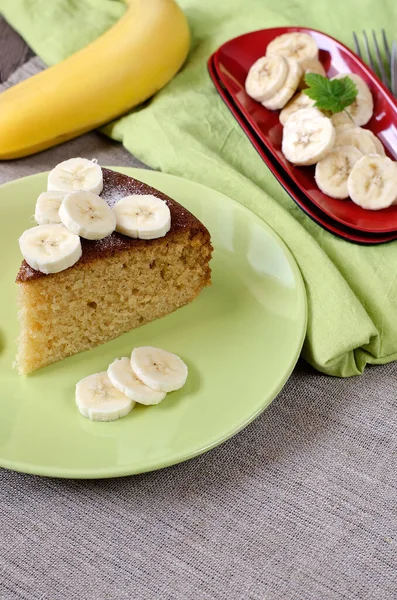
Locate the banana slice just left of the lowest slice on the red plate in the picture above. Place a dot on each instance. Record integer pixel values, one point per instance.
(333, 171)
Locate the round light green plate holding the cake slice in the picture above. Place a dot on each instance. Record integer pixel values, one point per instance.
(240, 338)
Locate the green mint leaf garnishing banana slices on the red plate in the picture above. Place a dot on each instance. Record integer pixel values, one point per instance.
(333, 96)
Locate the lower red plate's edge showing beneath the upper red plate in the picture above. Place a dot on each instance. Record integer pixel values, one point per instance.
(301, 200)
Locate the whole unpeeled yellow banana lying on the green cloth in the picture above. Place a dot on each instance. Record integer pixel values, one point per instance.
(119, 70)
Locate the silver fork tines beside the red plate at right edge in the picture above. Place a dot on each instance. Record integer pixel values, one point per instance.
(387, 75)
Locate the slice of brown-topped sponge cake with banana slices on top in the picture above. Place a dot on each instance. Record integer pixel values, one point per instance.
(101, 288)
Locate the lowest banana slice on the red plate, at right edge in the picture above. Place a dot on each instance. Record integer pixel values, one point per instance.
(372, 183)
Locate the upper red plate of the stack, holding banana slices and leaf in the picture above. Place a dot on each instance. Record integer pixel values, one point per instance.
(233, 60)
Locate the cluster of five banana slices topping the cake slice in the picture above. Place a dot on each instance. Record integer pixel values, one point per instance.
(71, 202)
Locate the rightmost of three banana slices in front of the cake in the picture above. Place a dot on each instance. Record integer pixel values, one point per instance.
(159, 369)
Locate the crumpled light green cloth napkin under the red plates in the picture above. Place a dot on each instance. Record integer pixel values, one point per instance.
(188, 131)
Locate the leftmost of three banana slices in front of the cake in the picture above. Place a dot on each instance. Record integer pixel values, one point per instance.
(98, 400)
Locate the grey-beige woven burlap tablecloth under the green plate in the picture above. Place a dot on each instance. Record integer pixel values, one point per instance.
(301, 505)
